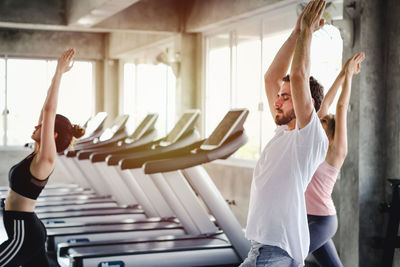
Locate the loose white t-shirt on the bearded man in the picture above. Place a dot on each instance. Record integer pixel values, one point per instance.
(277, 210)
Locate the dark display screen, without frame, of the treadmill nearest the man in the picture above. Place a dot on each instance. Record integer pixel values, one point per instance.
(224, 128)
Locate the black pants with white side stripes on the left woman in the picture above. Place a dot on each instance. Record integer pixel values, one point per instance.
(26, 240)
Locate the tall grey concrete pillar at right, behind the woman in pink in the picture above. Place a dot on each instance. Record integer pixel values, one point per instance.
(372, 117)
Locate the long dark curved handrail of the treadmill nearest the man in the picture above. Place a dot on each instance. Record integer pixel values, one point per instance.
(230, 146)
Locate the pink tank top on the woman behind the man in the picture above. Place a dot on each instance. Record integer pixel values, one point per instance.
(318, 194)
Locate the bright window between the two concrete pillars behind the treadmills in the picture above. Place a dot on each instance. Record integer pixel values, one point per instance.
(150, 88)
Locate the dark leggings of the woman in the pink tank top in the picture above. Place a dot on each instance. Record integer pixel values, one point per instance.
(322, 229)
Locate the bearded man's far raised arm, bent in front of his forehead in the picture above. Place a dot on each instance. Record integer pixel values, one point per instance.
(279, 67)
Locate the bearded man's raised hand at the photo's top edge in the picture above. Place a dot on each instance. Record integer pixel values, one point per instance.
(312, 13)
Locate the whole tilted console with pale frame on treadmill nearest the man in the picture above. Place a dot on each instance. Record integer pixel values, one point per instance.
(224, 129)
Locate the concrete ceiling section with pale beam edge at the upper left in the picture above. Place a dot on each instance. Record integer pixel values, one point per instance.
(150, 16)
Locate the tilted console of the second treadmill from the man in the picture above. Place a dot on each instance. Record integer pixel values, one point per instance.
(185, 123)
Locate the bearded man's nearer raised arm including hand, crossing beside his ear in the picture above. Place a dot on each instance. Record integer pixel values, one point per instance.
(300, 70)
